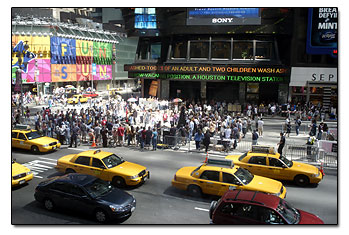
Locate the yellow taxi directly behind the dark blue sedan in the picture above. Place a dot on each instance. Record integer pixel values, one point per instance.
(104, 165)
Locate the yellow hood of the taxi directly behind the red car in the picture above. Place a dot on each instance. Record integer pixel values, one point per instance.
(264, 184)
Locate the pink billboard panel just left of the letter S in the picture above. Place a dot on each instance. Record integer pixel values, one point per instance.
(43, 74)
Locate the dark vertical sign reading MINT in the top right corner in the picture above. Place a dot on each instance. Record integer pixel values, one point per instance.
(322, 34)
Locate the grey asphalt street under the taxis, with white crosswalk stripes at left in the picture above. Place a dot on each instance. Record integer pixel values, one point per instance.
(157, 201)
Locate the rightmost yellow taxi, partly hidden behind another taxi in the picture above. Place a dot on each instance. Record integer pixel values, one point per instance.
(264, 161)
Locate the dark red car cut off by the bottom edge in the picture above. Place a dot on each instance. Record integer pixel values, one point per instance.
(250, 207)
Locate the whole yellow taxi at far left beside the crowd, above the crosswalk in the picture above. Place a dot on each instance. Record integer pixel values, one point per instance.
(25, 138)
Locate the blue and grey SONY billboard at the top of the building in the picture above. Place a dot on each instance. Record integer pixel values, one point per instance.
(223, 16)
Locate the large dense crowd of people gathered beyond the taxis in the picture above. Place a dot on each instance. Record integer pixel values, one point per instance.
(145, 123)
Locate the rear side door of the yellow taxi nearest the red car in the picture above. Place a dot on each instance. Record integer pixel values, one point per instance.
(209, 182)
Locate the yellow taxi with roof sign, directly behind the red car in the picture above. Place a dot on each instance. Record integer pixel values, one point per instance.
(216, 176)
